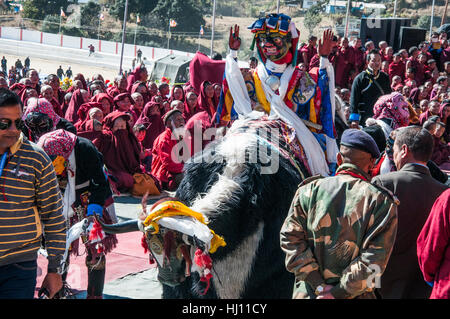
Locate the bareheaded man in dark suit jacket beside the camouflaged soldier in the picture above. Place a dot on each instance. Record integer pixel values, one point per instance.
(417, 192)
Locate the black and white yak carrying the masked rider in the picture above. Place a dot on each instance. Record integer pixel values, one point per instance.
(243, 184)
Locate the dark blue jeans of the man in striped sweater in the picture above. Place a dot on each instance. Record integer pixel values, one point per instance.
(18, 281)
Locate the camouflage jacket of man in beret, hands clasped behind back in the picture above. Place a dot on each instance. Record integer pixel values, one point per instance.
(337, 231)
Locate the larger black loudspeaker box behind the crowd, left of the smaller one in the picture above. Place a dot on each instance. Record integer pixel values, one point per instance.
(383, 29)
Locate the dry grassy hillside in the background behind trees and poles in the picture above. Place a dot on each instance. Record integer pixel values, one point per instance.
(240, 12)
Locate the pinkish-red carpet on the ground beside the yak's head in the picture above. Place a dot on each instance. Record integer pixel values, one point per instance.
(128, 257)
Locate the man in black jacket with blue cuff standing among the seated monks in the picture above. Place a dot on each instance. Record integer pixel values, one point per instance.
(367, 87)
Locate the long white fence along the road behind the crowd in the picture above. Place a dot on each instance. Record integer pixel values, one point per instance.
(102, 46)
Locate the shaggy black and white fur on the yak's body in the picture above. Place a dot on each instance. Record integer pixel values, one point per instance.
(248, 209)
